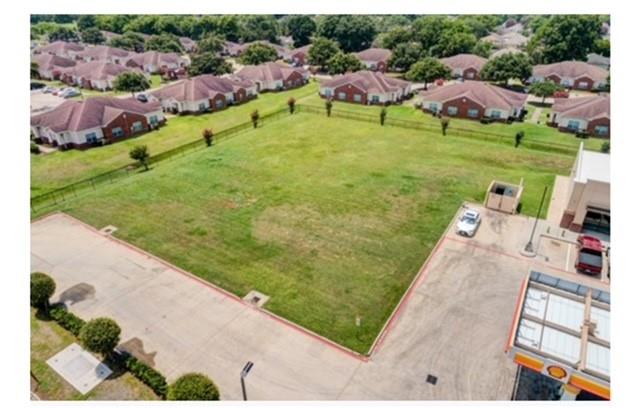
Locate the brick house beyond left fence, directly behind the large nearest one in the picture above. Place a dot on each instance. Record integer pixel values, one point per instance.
(204, 93)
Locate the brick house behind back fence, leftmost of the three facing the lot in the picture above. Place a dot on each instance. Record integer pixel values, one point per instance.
(366, 87)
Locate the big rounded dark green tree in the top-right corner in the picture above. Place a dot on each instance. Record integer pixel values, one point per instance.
(564, 38)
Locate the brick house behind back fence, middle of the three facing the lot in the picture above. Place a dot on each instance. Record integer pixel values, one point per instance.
(474, 100)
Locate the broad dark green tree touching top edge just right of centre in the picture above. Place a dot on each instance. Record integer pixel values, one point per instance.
(353, 32)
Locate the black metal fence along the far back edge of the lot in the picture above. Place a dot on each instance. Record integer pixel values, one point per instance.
(452, 130)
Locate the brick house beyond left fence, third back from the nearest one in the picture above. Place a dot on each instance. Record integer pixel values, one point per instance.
(272, 76)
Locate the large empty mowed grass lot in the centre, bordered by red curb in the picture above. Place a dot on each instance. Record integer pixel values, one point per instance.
(331, 218)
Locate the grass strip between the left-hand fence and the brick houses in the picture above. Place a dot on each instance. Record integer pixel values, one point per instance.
(58, 169)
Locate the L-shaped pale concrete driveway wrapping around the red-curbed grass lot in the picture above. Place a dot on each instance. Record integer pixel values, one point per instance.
(453, 323)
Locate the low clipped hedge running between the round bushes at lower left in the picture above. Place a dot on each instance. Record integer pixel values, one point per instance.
(149, 376)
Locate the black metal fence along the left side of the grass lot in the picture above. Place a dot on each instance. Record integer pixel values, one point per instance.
(62, 194)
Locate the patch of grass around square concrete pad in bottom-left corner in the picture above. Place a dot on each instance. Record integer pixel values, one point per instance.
(47, 339)
